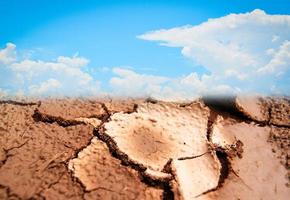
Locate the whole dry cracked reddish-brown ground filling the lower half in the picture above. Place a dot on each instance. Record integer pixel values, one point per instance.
(211, 148)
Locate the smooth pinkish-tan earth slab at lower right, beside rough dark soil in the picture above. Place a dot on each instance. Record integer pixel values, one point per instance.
(258, 174)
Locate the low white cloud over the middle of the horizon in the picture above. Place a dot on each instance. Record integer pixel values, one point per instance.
(127, 82)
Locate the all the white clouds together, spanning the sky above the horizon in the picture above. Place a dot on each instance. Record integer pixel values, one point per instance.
(244, 53)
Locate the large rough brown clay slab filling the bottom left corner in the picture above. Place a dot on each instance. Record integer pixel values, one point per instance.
(34, 154)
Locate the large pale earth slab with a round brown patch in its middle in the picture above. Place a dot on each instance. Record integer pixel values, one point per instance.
(156, 133)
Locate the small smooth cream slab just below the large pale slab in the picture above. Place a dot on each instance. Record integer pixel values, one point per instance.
(195, 176)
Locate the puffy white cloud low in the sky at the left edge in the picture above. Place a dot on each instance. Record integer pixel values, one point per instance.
(64, 77)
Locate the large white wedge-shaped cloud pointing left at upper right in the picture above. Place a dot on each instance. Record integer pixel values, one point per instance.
(237, 49)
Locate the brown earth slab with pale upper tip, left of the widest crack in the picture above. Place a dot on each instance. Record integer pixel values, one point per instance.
(101, 173)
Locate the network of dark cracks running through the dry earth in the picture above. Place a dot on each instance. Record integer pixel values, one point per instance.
(223, 154)
